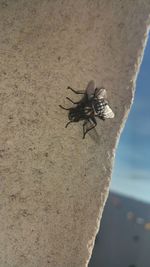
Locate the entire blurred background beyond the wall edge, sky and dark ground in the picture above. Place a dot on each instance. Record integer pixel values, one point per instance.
(124, 237)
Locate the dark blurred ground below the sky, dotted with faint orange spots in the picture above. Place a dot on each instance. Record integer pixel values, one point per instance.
(124, 237)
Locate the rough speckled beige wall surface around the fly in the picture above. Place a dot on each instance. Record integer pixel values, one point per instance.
(53, 184)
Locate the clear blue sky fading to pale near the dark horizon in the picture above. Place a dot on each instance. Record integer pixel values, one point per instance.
(131, 176)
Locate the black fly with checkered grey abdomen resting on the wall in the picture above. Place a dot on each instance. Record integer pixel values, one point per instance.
(92, 105)
